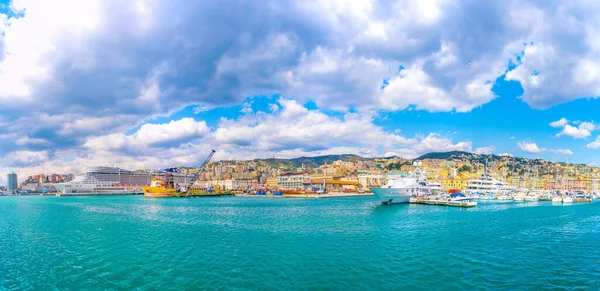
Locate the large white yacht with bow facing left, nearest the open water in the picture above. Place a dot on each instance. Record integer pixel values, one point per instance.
(401, 189)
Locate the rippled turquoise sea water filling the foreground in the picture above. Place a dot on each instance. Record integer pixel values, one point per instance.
(128, 242)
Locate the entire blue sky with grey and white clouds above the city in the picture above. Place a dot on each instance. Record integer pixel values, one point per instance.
(152, 84)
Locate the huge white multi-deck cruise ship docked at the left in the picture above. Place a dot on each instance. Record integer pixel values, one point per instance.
(113, 180)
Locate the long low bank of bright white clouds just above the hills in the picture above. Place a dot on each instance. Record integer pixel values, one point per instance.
(291, 131)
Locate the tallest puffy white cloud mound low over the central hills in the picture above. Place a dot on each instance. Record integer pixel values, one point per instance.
(295, 126)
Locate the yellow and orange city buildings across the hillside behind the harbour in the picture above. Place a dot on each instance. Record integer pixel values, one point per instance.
(354, 173)
